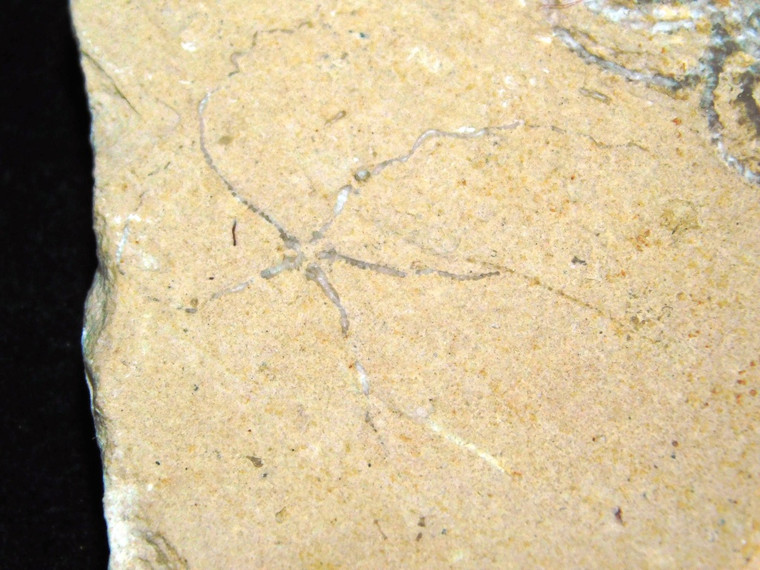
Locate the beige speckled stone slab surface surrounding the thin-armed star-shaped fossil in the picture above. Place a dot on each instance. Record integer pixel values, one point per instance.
(551, 298)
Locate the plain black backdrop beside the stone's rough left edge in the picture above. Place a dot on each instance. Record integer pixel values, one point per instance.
(50, 474)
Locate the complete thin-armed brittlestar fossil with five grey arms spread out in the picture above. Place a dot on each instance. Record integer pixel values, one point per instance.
(306, 254)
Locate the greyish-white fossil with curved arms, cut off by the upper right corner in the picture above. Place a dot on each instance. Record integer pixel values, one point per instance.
(676, 45)
